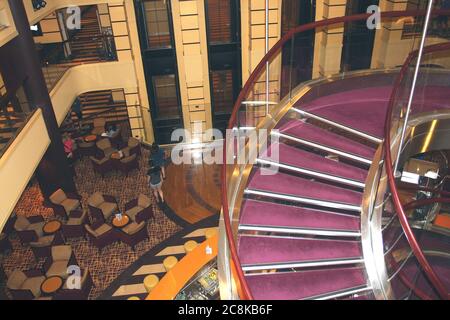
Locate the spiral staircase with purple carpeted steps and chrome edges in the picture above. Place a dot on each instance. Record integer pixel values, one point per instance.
(297, 234)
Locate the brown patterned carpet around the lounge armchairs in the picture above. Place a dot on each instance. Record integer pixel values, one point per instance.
(115, 258)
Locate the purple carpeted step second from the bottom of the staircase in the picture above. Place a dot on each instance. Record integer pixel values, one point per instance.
(258, 250)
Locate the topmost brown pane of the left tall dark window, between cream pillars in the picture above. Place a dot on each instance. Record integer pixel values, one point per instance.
(157, 22)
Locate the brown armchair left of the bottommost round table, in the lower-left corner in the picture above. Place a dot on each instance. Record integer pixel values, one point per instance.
(25, 285)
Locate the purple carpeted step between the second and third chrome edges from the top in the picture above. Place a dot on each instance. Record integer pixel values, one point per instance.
(306, 160)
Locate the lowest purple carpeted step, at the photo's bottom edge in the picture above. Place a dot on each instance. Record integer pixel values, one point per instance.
(301, 285)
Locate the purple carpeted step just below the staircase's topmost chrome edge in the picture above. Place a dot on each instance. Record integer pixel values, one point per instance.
(306, 131)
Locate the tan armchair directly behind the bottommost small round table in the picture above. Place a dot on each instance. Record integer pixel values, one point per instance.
(60, 258)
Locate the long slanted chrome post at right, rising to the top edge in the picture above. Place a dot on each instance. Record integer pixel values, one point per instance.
(414, 81)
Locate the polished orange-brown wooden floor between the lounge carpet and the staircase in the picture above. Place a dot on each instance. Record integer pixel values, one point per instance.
(192, 191)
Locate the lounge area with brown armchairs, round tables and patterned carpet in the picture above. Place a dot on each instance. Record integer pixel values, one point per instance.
(40, 241)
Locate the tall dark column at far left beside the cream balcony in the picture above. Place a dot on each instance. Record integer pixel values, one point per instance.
(19, 62)
